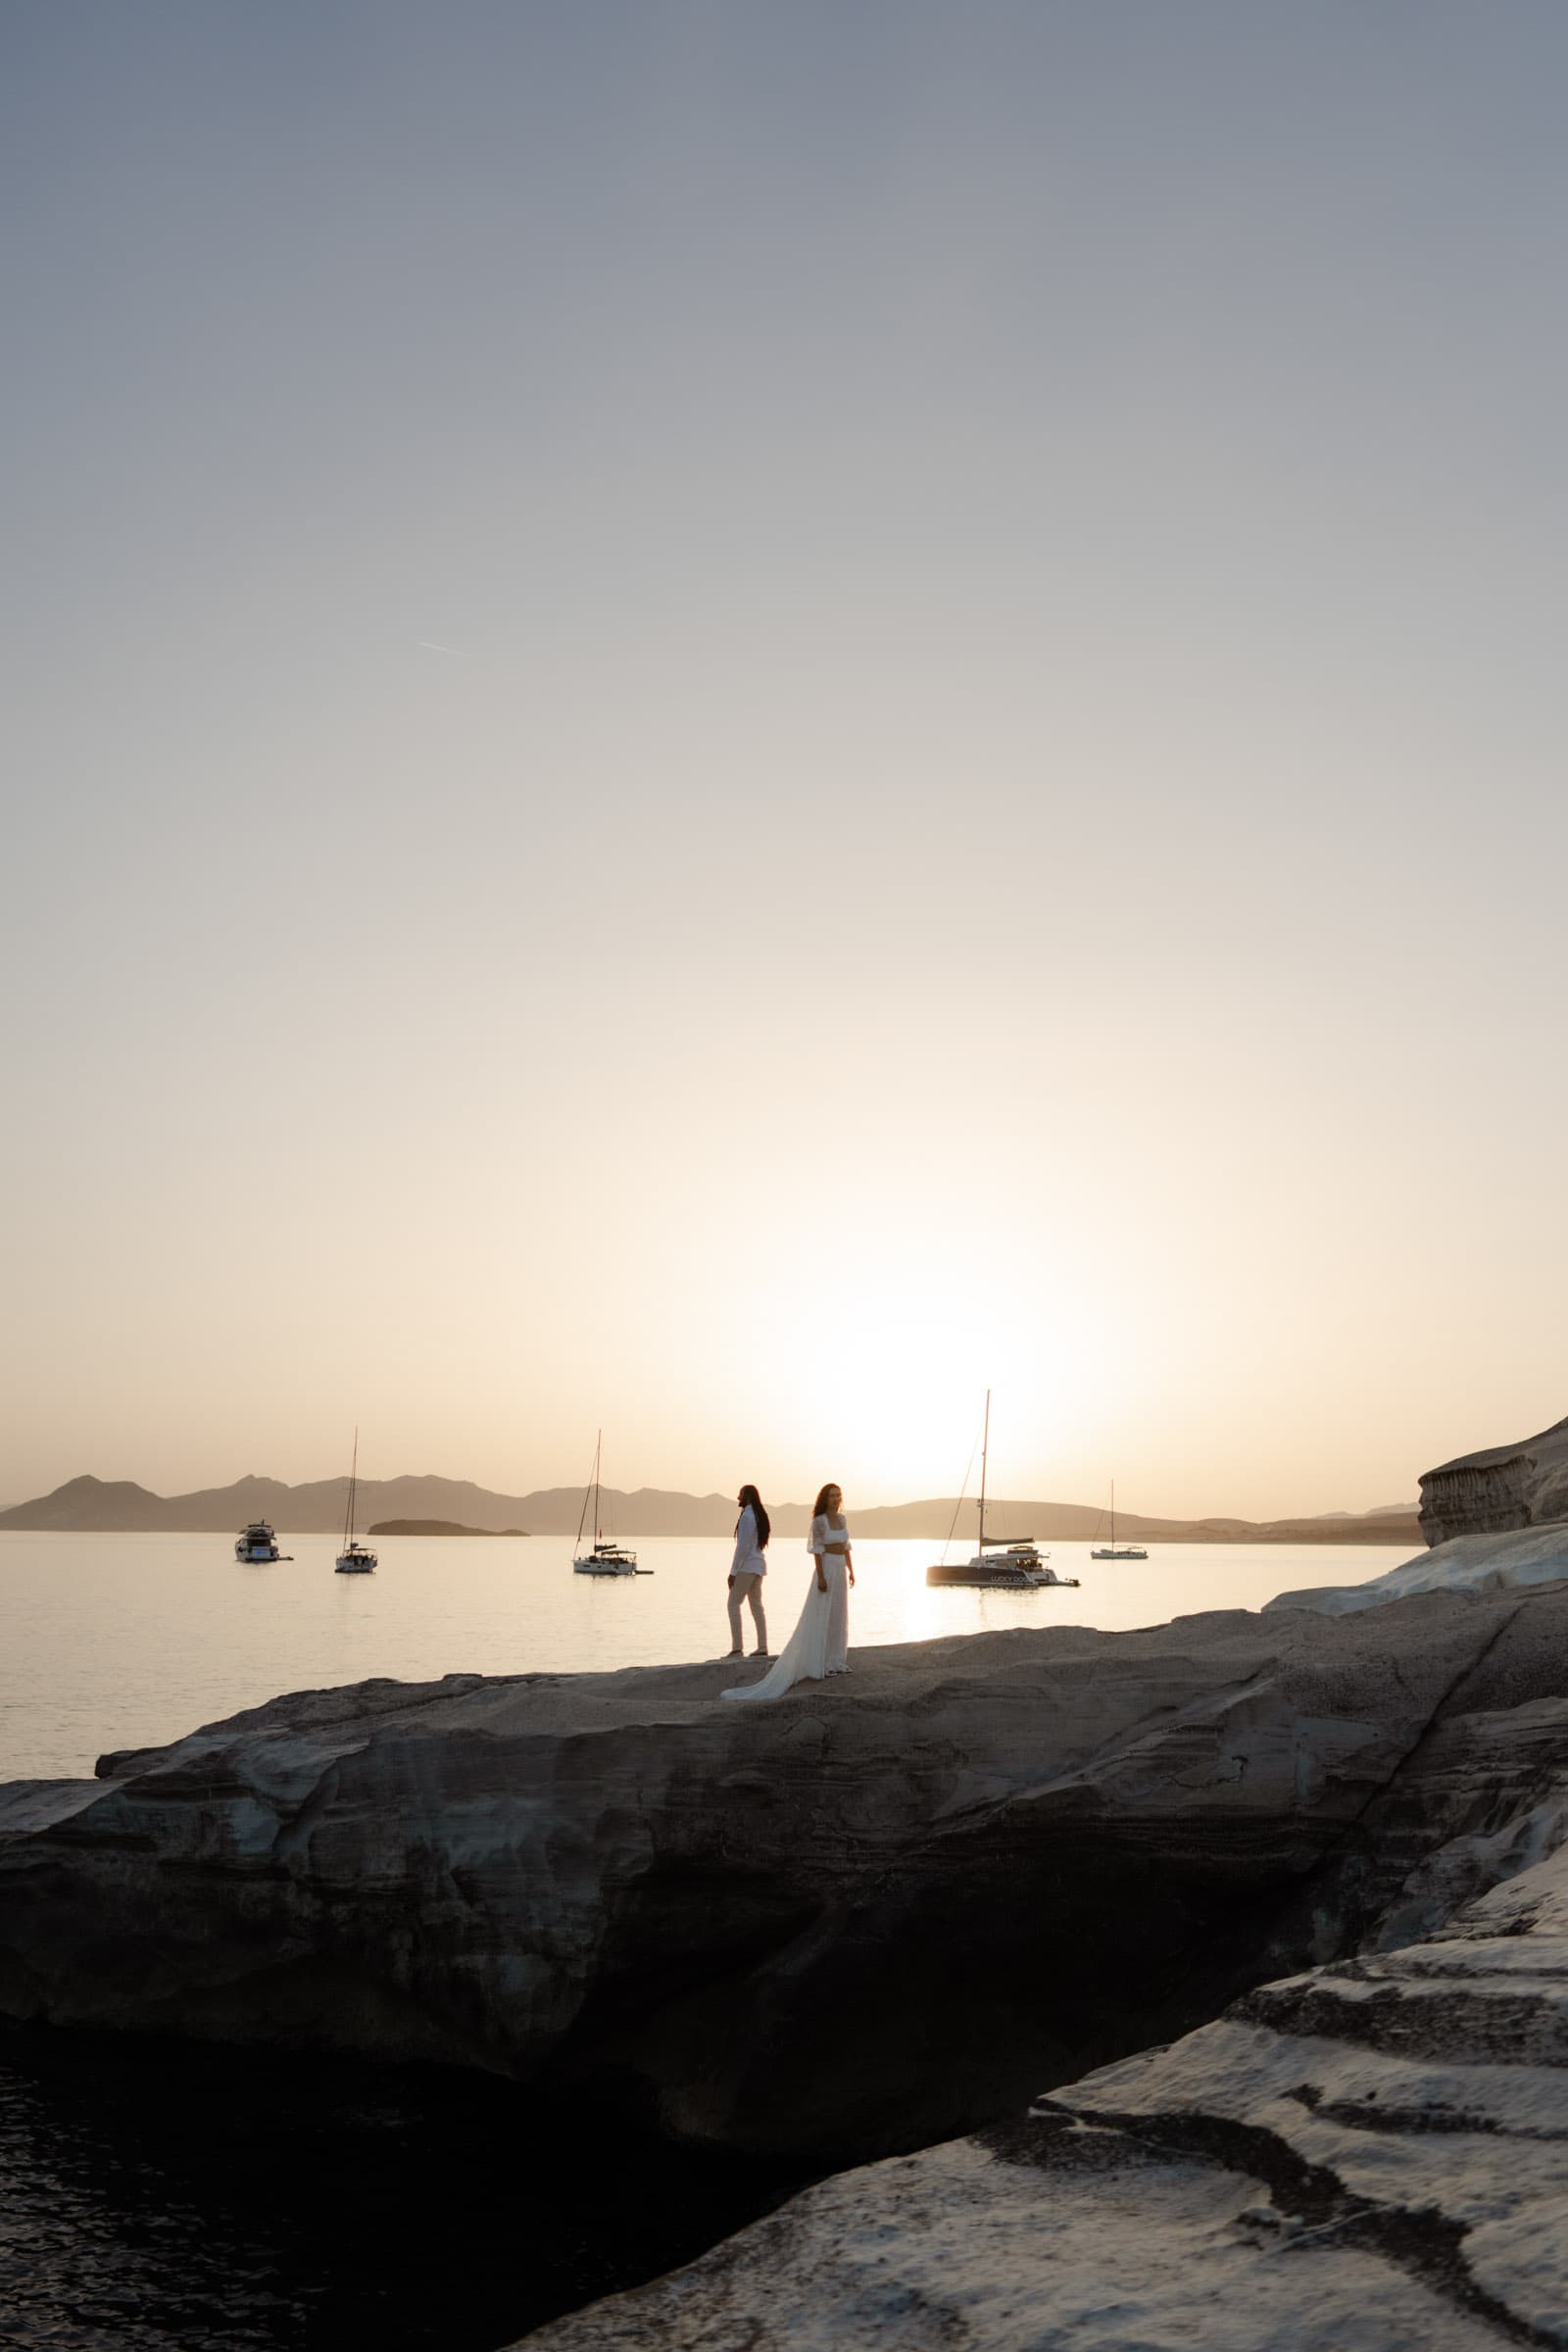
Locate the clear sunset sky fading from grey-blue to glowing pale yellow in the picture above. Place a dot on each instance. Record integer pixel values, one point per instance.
(732, 719)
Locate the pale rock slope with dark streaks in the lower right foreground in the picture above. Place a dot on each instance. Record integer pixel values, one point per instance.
(1367, 2158)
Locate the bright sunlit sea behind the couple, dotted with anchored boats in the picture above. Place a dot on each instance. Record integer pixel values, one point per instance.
(135, 1641)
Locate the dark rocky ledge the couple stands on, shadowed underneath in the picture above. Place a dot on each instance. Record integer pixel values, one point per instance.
(859, 1920)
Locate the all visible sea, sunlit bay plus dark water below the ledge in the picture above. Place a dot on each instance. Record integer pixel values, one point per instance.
(161, 2198)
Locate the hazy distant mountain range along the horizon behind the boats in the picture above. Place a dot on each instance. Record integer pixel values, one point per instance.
(119, 1506)
